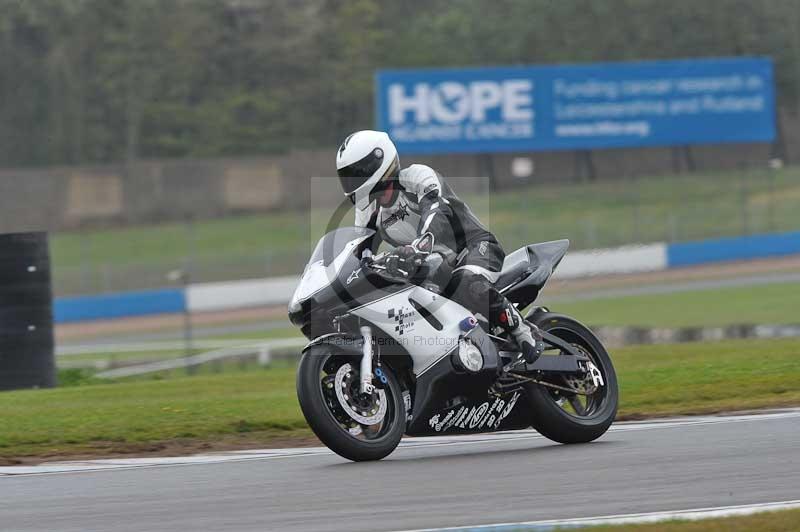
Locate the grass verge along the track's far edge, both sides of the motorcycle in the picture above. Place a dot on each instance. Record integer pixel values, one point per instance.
(261, 405)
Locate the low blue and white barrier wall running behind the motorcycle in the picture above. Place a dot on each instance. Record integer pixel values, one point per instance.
(231, 295)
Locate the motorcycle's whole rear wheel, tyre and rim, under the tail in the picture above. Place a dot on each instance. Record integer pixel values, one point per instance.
(570, 417)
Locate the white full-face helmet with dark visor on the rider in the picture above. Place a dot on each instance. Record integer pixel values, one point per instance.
(364, 161)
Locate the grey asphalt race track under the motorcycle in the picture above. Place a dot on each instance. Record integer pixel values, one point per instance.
(636, 467)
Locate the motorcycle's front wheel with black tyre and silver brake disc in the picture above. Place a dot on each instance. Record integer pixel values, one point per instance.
(356, 426)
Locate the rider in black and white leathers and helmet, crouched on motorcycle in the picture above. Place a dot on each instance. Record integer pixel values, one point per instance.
(403, 204)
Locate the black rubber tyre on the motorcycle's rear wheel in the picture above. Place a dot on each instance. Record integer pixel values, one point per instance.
(551, 419)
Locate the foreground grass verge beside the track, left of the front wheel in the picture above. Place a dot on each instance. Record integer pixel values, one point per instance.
(84, 417)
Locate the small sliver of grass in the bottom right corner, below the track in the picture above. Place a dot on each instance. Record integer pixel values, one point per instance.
(781, 521)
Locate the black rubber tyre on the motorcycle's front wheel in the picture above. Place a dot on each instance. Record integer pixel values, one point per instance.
(328, 429)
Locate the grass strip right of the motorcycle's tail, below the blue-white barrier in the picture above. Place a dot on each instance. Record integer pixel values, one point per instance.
(773, 304)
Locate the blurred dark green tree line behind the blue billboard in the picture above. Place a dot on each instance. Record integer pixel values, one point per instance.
(94, 81)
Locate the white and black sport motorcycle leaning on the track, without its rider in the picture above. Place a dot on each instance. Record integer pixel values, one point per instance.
(391, 356)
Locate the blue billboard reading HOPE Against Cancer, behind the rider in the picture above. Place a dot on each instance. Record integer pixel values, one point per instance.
(601, 105)
